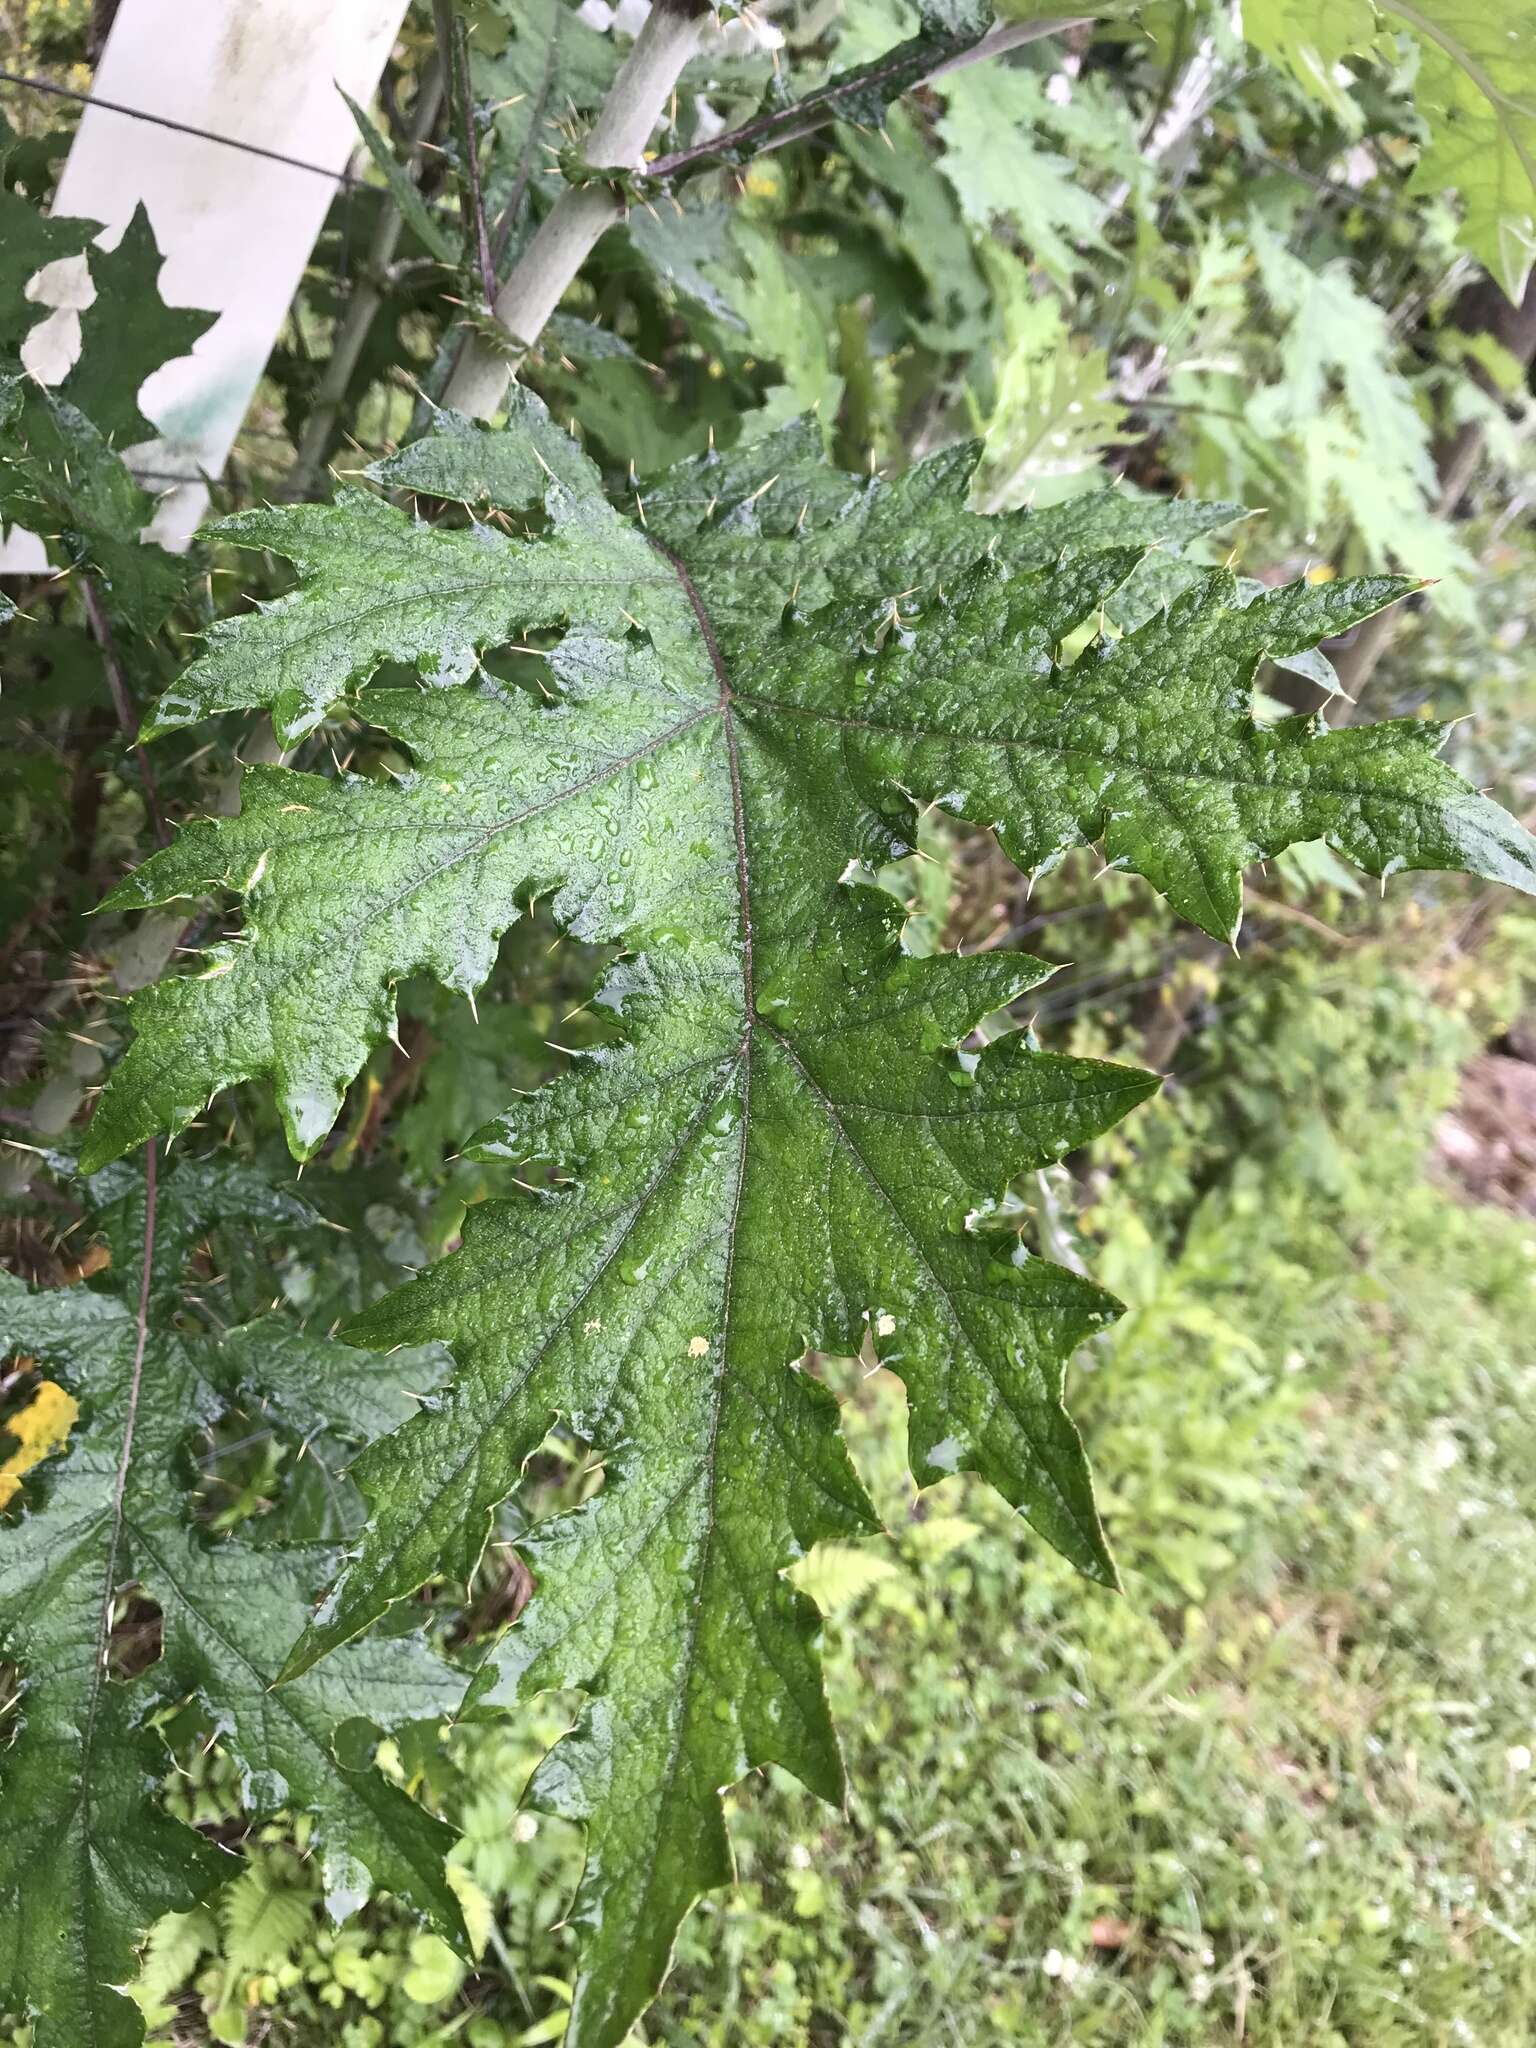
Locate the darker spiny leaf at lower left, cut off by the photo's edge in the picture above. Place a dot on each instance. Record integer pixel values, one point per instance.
(89, 1861)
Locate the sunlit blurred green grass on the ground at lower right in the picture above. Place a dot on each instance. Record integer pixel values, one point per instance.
(1281, 1791)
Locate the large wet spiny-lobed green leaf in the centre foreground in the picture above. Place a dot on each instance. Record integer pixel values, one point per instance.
(790, 1150)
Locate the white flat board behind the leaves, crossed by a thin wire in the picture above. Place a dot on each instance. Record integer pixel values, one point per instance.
(237, 228)
